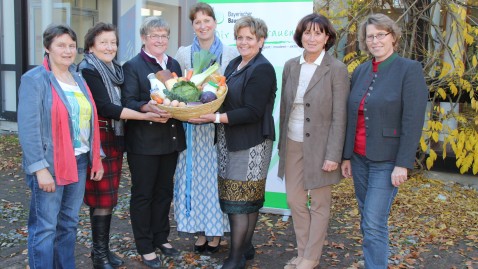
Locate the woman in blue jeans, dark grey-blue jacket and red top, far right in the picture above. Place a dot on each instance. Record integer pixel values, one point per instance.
(386, 111)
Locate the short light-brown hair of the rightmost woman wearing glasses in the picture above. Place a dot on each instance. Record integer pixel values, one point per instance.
(382, 22)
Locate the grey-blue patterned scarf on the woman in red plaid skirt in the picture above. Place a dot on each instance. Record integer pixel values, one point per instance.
(111, 77)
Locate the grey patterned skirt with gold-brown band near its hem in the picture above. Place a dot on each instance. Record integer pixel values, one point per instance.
(242, 176)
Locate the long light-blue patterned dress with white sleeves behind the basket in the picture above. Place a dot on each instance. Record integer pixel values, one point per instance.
(196, 198)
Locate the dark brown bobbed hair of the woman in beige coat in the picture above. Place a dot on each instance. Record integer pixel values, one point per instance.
(311, 20)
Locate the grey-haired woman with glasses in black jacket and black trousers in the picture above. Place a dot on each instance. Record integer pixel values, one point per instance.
(152, 147)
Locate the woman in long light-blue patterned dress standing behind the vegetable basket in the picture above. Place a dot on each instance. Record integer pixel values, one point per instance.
(196, 199)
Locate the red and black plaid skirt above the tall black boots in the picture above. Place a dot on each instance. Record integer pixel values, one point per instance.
(104, 193)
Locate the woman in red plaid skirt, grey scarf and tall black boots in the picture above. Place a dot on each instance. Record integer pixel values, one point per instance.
(104, 76)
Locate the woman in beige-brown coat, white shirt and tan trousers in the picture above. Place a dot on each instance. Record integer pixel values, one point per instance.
(315, 88)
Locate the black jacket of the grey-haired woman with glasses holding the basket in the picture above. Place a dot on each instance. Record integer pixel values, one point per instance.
(145, 137)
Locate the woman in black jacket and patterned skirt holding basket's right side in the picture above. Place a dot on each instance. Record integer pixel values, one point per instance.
(245, 137)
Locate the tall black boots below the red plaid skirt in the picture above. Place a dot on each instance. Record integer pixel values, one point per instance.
(101, 256)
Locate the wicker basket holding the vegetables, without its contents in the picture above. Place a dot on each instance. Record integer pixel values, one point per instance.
(191, 112)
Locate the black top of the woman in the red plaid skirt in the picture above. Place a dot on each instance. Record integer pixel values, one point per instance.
(105, 107)
